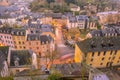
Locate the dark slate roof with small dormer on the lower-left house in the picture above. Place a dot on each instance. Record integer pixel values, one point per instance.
(24, 57)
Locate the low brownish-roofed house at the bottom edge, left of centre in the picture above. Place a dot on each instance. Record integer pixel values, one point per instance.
(31, 75)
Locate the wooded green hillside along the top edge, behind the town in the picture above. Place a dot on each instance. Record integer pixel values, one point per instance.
(64, 5)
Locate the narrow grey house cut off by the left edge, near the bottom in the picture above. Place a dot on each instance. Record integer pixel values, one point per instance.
(4, 72)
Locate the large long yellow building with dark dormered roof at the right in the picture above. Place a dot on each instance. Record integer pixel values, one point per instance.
(98, 51)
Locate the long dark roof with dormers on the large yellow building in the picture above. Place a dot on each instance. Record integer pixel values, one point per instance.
(98, 44)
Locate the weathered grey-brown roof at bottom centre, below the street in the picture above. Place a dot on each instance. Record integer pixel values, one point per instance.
(71, 69)
